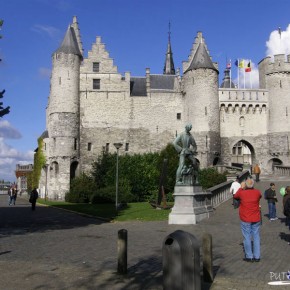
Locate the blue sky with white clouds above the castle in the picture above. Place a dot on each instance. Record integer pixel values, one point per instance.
(135, 33)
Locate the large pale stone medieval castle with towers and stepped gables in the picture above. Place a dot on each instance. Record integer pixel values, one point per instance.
(91, 106)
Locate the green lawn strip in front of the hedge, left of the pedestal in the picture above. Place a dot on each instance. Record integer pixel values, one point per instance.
(137, 211)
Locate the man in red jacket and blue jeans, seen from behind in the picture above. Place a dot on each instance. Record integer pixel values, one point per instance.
(250, 216)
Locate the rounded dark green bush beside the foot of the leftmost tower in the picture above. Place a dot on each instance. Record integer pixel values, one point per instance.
(81, 189)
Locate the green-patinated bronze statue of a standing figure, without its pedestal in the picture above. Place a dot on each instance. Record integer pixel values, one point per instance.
(186, 147)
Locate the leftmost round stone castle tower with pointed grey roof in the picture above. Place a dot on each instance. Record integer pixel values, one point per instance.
(62, 144)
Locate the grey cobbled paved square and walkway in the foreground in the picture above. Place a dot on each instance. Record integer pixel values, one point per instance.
(55, 249)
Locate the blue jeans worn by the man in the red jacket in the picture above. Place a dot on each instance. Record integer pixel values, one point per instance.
(251, 231)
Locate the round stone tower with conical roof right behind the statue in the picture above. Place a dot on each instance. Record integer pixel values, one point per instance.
(201, 104)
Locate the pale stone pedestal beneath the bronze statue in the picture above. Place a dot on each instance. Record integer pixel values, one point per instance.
(191, 205)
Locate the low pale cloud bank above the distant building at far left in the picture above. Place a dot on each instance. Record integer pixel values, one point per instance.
(9, 157)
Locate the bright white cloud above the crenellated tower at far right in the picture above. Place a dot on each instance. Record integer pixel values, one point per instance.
(278, 44)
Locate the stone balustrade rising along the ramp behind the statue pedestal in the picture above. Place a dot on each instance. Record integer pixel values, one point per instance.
(221, 193)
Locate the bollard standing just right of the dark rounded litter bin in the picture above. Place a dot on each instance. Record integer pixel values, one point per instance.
(207, 258)
